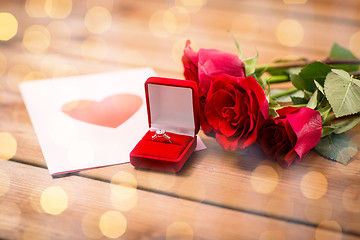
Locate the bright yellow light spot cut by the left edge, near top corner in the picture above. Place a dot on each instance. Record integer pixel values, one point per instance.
(8, 26)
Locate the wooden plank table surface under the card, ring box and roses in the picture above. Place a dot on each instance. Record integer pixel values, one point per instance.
(219, 194)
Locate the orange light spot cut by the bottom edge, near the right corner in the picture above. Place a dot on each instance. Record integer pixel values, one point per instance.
(328, 229)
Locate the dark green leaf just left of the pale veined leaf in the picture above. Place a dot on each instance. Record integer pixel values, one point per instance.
(314, 71)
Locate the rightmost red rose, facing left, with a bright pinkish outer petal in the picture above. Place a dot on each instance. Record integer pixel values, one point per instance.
(291, 135)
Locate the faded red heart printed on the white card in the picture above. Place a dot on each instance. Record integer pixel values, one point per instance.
(110, 112)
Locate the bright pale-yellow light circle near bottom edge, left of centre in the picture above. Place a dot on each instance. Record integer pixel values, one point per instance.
(112, 224)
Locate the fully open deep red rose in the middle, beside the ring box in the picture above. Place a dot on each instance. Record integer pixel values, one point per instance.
(235, 108)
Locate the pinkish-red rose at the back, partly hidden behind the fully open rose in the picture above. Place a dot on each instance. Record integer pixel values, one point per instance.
(201, 66)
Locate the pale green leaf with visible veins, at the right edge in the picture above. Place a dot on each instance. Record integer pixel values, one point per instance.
(343, 93)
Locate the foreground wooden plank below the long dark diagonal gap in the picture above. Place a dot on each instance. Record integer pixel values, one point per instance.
(35, 204)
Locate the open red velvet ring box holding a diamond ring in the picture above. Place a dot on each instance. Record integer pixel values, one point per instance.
(172, 106)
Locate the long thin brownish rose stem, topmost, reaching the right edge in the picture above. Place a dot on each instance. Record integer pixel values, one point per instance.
(282, 65)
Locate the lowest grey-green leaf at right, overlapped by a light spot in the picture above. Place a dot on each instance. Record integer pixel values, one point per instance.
(337, 147)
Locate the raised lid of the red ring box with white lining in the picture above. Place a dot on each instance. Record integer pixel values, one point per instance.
(172, 105)
